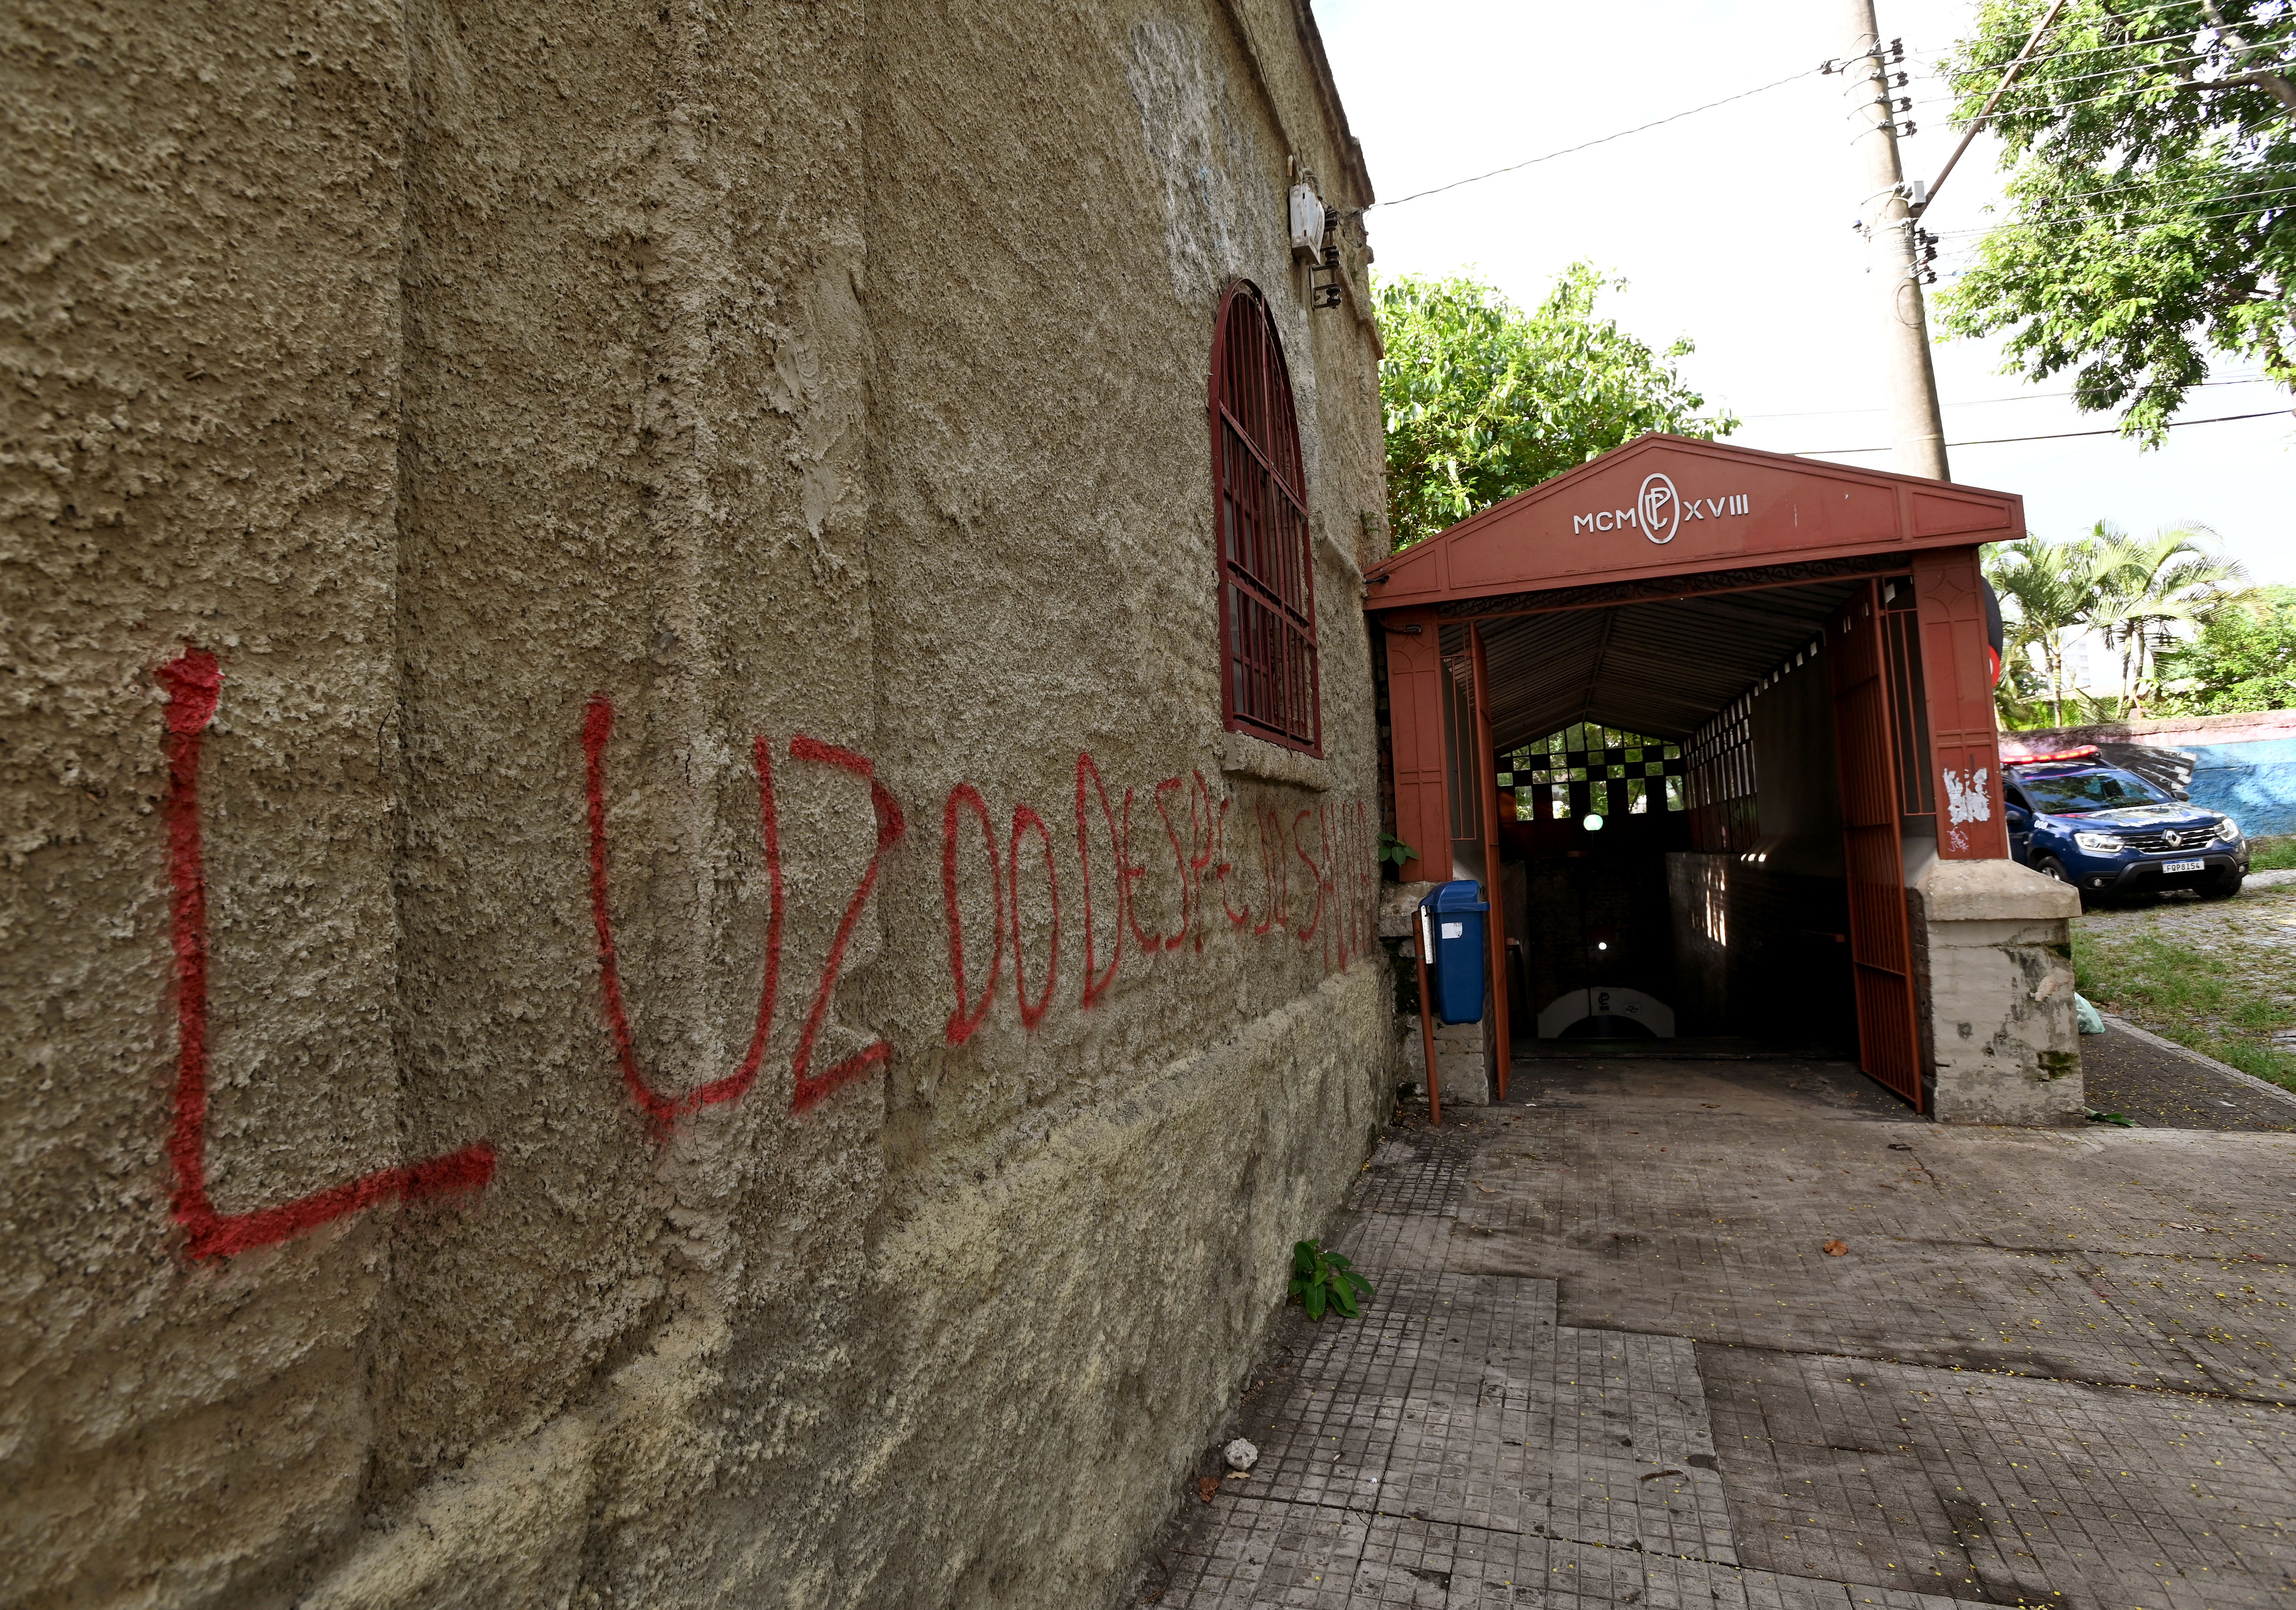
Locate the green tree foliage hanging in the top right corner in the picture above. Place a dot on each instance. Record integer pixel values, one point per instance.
(2152, 153)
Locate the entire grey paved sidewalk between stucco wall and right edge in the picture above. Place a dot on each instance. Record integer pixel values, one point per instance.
(1611, 1363)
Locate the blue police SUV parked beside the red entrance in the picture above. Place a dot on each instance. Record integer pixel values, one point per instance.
(2111, 833)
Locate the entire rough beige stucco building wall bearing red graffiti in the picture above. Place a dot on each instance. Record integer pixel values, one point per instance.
(695, 474)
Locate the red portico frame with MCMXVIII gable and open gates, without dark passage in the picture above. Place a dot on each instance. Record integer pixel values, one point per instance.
(1680, 582)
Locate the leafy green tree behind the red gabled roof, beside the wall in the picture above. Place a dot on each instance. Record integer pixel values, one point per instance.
(1484, 401)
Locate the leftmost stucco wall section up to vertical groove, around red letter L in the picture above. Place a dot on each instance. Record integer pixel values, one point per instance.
(201, 336)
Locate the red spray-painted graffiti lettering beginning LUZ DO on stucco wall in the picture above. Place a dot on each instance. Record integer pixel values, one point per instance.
(1340, 881)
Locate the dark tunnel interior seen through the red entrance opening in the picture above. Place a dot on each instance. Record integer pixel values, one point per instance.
(1670, 823)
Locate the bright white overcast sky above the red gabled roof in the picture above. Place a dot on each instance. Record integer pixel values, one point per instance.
(1735, 231)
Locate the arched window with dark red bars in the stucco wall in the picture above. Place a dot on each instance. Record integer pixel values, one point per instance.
(1266, 568)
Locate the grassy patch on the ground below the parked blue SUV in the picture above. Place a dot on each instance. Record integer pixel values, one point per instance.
(2224, 996)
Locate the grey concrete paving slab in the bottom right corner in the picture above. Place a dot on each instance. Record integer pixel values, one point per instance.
(2003, 1487)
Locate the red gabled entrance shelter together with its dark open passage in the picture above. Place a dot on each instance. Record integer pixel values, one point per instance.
(1742, 706)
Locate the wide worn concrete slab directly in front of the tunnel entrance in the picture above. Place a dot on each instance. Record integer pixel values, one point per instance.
(1996, 1251)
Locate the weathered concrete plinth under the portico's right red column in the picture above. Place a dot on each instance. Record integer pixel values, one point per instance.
(1996, 973)
